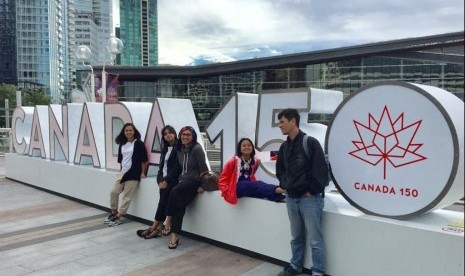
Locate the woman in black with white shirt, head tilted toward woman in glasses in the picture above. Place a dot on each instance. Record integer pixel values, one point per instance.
(167, 178)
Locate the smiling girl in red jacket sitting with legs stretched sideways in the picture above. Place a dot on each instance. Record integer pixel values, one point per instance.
(238, 179)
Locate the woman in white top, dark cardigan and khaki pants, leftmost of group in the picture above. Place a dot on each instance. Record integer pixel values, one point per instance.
(132, 156)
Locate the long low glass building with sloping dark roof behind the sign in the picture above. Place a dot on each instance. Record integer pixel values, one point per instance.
(433, 60)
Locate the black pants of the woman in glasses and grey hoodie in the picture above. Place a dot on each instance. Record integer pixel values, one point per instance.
(181, 196)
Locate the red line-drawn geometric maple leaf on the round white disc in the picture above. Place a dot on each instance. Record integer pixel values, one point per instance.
(387, 141)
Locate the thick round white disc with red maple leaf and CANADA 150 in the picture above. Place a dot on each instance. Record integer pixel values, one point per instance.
(396, 149)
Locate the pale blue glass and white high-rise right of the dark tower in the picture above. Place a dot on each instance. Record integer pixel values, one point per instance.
(42, 45)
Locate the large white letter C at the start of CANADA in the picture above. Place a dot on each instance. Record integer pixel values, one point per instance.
(21, 123)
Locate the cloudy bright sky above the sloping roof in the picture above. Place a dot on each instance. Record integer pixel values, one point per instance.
(195, 32)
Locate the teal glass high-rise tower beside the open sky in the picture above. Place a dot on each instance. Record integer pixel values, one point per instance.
(139, 32)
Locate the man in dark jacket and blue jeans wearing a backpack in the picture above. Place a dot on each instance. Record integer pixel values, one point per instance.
(303, 173)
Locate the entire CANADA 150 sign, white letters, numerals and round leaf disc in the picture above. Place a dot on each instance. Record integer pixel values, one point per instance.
(395, 149)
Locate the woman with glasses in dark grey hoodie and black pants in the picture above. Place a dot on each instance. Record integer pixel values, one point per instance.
(191, 163)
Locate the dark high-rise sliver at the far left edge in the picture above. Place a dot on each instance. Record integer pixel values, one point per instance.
(8, 42)
